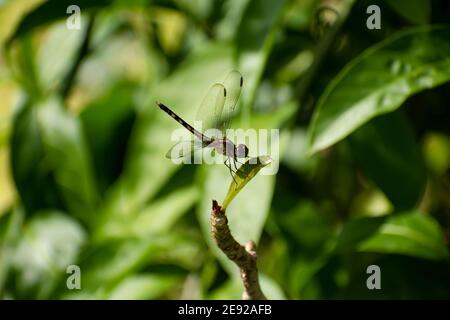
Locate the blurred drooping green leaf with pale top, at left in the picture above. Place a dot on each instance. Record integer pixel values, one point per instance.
(67, 154)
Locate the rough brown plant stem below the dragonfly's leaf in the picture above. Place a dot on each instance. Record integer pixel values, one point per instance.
(244, 257)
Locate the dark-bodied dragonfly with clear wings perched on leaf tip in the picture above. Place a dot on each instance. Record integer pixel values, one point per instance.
(215, 112)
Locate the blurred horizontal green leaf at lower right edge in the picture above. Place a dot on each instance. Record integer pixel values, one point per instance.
(411, 233)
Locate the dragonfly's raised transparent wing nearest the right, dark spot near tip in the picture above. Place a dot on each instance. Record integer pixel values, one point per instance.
(233, 84)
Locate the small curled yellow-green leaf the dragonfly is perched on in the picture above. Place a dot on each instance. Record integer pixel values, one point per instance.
(243, 175)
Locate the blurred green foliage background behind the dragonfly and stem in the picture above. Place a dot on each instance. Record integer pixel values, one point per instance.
(364, 124)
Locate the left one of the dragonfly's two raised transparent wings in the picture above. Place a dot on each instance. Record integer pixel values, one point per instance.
(210, 110)
